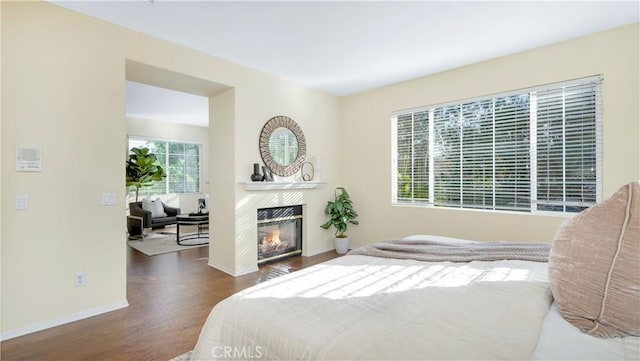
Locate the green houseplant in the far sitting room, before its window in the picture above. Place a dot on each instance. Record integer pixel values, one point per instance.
(142, 170)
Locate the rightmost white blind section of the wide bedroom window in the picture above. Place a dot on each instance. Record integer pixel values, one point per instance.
(567, 147)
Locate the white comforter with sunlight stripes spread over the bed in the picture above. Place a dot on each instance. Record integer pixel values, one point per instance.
(367, 308)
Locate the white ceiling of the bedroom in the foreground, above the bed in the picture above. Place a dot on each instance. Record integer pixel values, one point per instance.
(348, 47)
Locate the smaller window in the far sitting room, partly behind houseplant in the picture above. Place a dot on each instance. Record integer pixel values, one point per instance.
(181, 162)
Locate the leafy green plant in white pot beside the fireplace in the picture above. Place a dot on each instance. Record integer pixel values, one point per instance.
(341, 214)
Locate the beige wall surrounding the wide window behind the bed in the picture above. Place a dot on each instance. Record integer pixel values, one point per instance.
(366, 165)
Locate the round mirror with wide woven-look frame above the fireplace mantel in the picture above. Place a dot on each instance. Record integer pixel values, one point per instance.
(282, 146)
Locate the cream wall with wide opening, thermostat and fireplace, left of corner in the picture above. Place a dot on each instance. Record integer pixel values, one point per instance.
(63, 89)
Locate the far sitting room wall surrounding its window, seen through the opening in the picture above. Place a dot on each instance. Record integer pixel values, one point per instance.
(176, 132)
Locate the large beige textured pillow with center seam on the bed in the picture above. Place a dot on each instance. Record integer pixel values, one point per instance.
(594, 266)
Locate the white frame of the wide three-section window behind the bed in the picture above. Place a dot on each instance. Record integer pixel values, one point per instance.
(532, 93)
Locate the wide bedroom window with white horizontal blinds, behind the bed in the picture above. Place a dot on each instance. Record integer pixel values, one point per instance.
(532, 150)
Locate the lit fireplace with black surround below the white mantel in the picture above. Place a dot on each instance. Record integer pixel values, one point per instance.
(279, 232)
